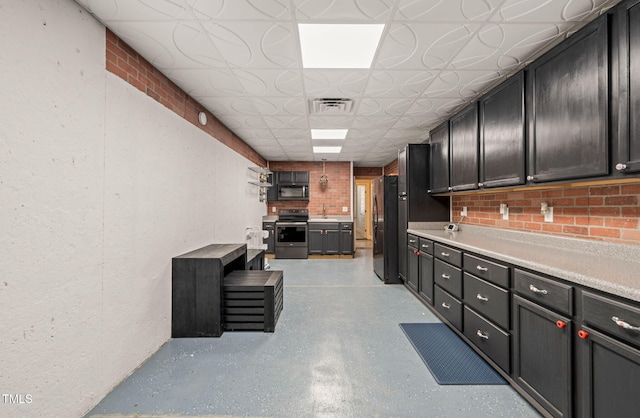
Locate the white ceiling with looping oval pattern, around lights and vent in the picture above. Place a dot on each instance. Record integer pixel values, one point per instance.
(241, 60)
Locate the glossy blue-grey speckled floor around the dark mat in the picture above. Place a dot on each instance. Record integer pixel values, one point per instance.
(337, 352)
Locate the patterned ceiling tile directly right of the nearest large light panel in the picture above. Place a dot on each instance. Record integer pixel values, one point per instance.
(423, 45)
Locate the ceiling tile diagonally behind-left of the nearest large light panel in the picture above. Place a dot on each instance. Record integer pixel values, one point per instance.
(274, 83)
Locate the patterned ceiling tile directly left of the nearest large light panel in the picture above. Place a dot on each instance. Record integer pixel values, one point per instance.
(246, 44)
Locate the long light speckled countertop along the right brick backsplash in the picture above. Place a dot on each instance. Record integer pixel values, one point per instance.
(611, 268)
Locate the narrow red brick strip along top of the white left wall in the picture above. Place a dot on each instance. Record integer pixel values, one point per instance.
(124, 62)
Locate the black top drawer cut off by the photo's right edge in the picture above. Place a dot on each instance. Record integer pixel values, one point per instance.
(599, 312)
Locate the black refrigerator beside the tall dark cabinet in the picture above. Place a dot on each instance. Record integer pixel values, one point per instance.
(385, 229)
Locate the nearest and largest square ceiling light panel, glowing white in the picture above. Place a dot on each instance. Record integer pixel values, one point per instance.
(339, 45)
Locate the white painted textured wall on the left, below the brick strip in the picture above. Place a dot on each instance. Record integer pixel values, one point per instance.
(99, 187)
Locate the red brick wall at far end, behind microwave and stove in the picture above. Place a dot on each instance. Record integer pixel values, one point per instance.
(335, 195)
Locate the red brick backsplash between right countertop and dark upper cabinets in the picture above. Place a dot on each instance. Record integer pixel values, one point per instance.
(599, 212)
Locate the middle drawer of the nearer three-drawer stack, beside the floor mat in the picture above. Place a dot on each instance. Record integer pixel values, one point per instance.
(488, 299)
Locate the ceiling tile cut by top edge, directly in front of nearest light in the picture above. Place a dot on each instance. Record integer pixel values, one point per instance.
(349, 10)
